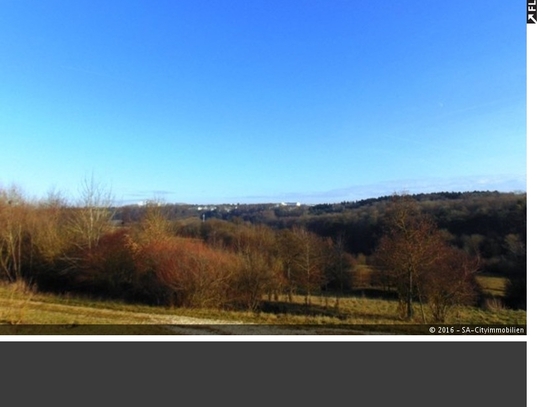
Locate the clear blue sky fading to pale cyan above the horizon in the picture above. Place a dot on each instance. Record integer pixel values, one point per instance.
(262, 101)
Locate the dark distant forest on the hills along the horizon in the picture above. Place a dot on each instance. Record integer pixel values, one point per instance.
(489, 224)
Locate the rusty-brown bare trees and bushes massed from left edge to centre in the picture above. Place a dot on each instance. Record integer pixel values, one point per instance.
(79, 248)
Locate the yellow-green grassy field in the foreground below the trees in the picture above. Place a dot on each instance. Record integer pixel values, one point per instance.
(22, 308)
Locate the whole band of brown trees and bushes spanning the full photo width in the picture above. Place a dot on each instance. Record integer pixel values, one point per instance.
(161, 259)
